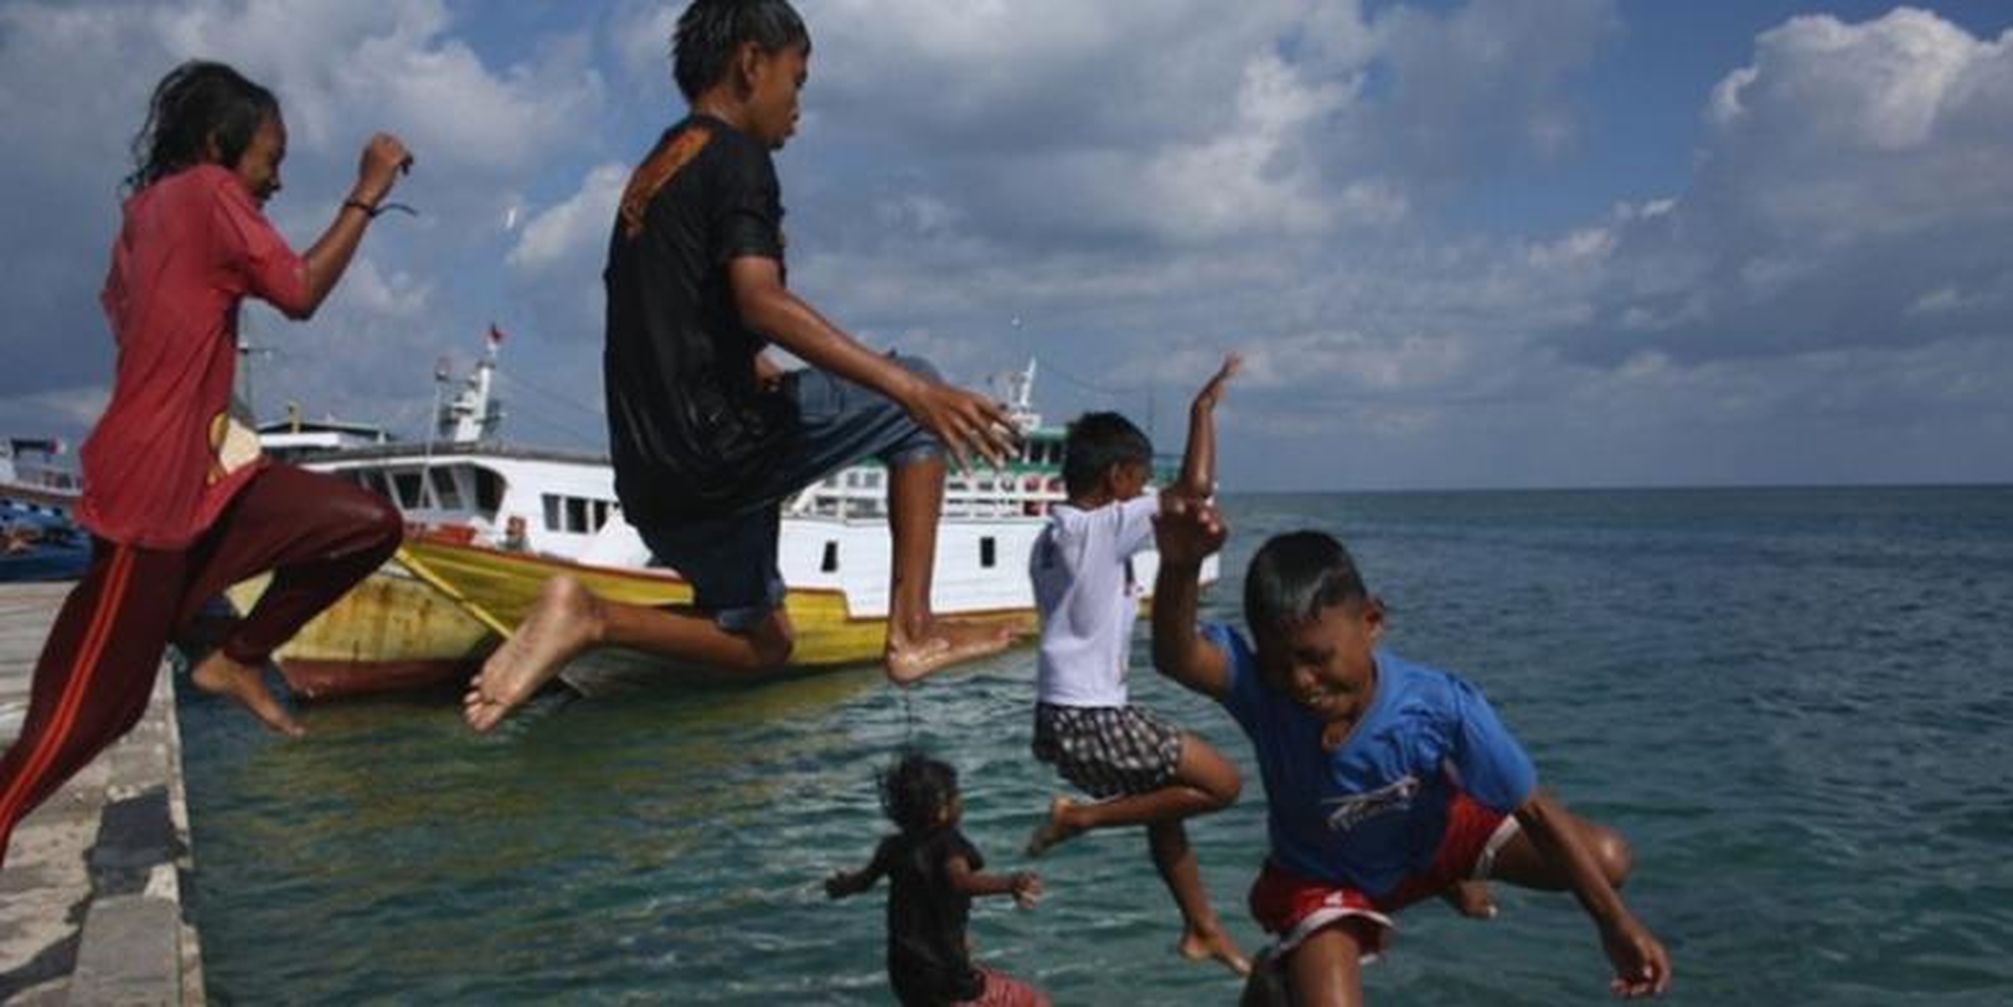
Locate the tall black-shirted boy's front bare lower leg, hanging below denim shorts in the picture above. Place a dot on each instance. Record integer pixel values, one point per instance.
(921, 643)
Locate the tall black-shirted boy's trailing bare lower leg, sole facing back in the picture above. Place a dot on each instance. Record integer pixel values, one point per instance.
(569, 621)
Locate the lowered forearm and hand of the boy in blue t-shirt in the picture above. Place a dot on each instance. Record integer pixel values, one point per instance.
(1642, 964)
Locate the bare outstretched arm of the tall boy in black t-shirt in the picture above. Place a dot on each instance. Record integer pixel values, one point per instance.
(965, 422)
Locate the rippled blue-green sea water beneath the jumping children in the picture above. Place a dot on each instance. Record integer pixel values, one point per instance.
(1797, 704)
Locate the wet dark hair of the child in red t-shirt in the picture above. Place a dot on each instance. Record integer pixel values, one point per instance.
(198, 104)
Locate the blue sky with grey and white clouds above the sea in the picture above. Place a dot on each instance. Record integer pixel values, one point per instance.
(1460, 245)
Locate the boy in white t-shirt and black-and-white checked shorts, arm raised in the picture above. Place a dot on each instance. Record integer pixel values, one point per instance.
(1144, 770)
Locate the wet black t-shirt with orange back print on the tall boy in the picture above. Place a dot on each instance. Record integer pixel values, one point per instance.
(689, 426)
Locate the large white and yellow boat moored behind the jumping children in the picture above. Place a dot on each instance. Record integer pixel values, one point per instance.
(492, 523)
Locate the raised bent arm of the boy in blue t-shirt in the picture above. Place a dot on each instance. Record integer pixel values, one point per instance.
(1187, 533)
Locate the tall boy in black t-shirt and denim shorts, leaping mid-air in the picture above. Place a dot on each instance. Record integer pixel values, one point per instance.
(708, 436)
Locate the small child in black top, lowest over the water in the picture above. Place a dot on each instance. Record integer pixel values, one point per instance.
(933, 875)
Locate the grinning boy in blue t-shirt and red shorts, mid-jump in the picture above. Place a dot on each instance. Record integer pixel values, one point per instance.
(1386, 782)
